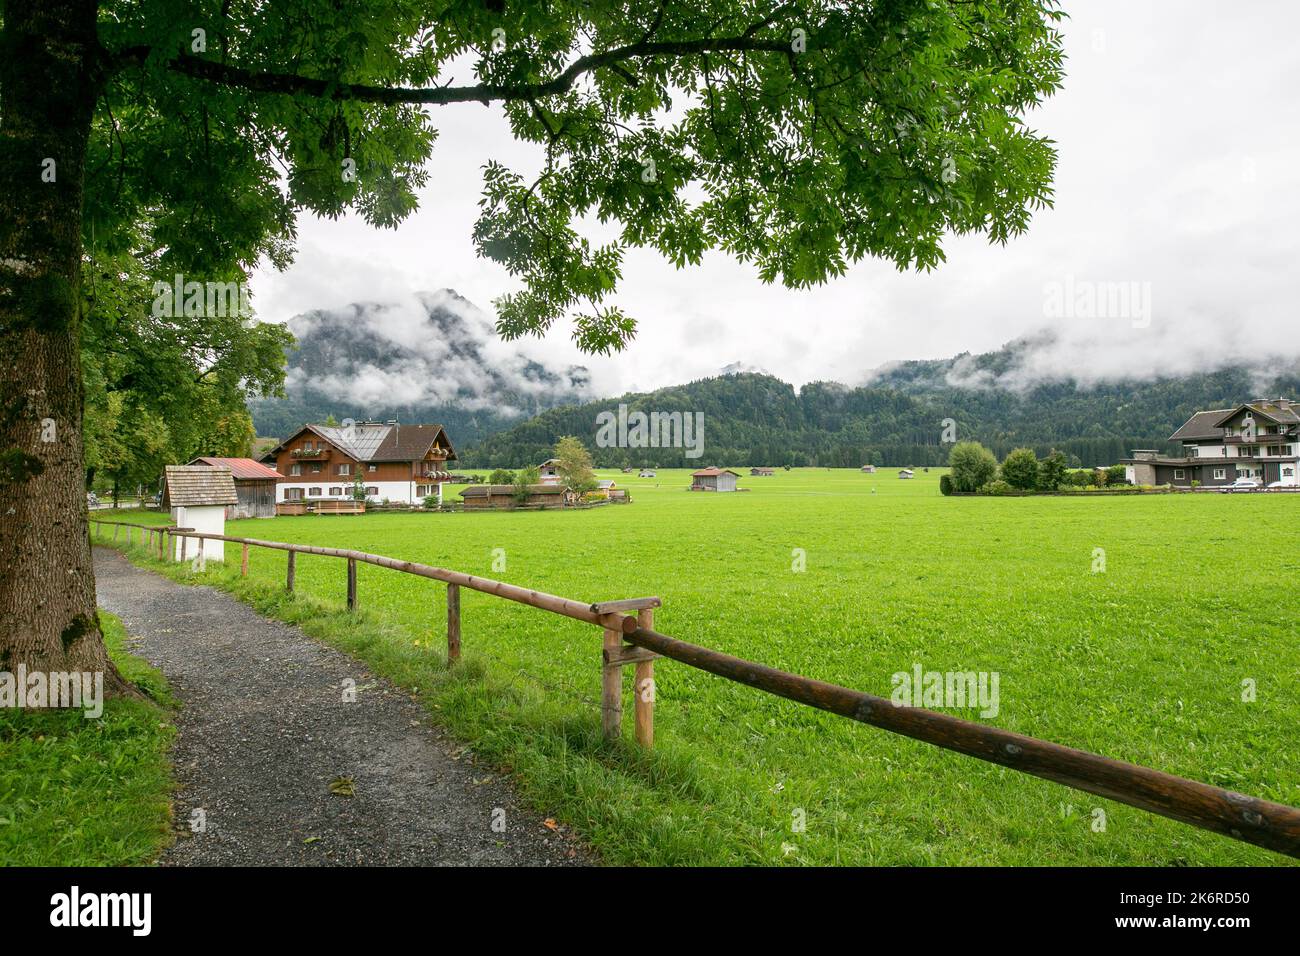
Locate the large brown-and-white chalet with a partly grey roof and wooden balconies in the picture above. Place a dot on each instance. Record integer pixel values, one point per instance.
(400, 464)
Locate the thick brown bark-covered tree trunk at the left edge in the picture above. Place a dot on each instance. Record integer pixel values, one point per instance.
(49, 85)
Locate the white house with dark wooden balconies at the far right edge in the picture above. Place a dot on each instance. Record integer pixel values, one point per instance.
(1259, 440)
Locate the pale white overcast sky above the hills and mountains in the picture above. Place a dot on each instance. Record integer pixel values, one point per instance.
(1178, 132)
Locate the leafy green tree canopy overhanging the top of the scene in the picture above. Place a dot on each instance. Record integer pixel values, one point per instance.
(799, 137)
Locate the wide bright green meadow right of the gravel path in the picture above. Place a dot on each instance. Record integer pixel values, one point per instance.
(1143, 661)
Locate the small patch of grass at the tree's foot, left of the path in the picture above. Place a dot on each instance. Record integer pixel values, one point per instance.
(89, 793)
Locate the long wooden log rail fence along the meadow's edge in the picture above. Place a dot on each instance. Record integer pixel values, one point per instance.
(630, 639)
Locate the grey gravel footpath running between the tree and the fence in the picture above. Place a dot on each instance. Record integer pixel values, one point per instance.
(265, 733)
